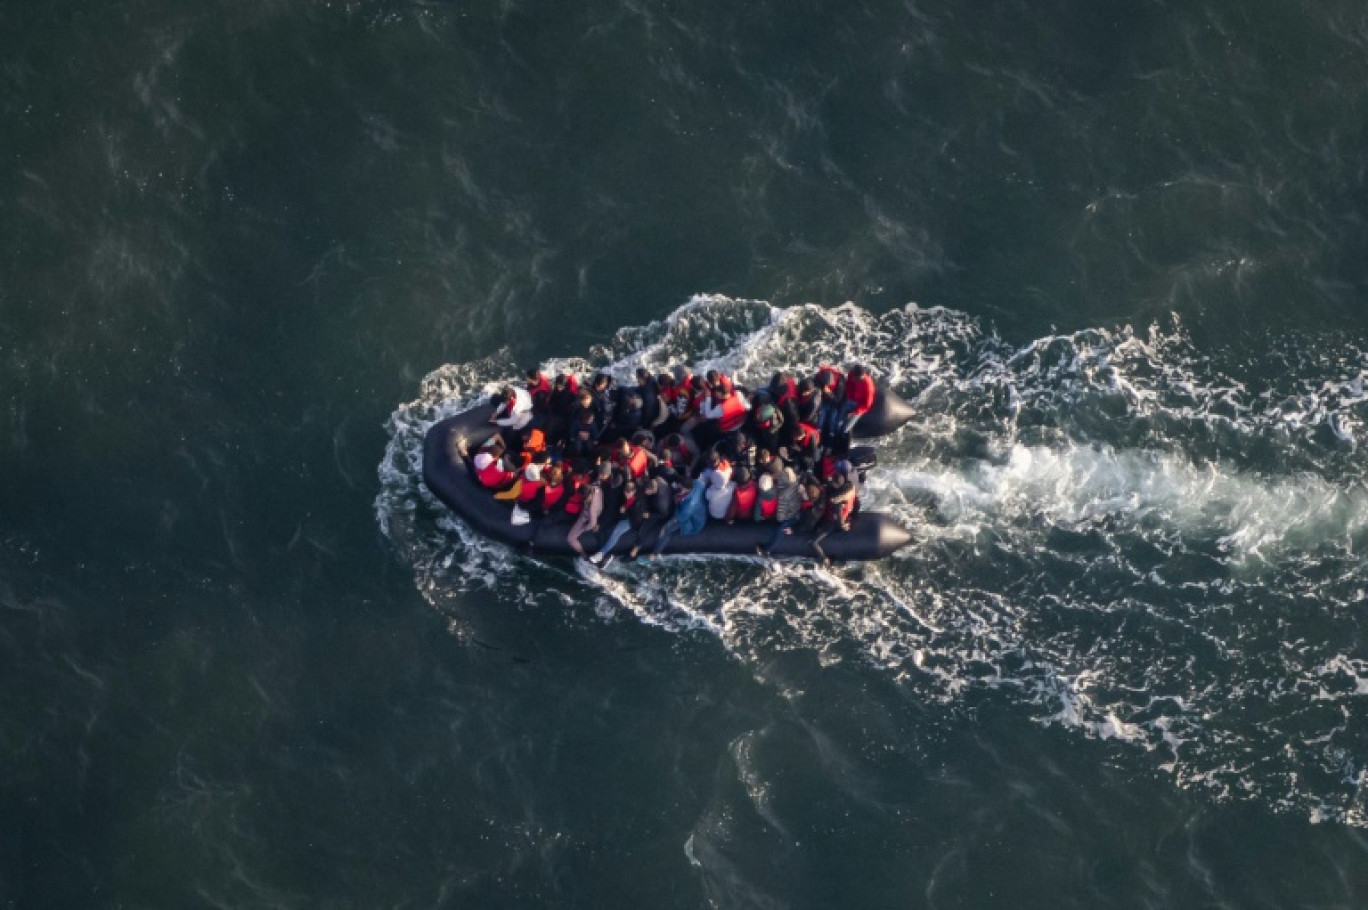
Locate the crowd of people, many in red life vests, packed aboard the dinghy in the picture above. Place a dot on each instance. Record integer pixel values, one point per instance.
(678, 450)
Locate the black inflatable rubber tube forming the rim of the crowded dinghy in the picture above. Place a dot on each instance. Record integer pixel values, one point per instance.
(449, 478)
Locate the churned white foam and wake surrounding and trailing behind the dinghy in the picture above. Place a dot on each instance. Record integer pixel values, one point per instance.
(1116, 532)
